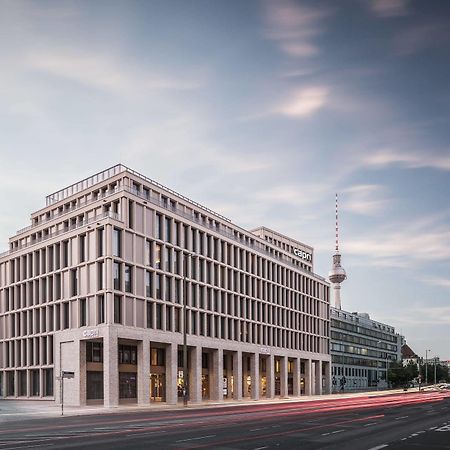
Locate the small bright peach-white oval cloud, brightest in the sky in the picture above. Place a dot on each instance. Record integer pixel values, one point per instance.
(304, 102)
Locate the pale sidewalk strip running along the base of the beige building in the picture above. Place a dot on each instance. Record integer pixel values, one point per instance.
(11, 410)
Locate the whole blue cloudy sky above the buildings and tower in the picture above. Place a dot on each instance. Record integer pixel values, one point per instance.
(261, 111)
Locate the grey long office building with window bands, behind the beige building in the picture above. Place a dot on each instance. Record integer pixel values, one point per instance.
(361, 351)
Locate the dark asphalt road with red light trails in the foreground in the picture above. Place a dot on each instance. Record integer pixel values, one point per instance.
(410, 420)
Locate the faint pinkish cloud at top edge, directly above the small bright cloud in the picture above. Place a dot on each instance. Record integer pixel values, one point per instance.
(293, 27)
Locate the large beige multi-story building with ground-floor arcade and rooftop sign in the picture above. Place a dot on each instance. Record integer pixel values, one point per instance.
(115, 270)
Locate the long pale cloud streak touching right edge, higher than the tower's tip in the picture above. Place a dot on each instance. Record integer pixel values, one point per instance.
(409, 160)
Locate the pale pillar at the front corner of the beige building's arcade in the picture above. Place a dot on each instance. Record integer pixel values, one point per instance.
(110, 368)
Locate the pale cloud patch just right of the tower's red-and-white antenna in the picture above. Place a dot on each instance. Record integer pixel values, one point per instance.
(365, 199)
